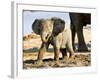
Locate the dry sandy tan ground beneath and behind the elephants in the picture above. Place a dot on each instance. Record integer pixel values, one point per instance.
(32, 45)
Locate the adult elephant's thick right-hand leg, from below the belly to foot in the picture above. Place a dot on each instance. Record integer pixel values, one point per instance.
(81, 42)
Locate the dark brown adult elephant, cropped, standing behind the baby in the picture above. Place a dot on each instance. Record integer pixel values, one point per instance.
(78, 20)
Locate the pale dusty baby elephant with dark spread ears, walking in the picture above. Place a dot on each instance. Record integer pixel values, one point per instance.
(54, 31)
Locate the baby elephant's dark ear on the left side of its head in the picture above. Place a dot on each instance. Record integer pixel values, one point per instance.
(36, 26)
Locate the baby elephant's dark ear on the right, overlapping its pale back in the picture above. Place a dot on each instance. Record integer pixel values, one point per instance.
(58, 25)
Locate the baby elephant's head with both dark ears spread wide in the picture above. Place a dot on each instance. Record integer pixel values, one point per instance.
(48, 27)
